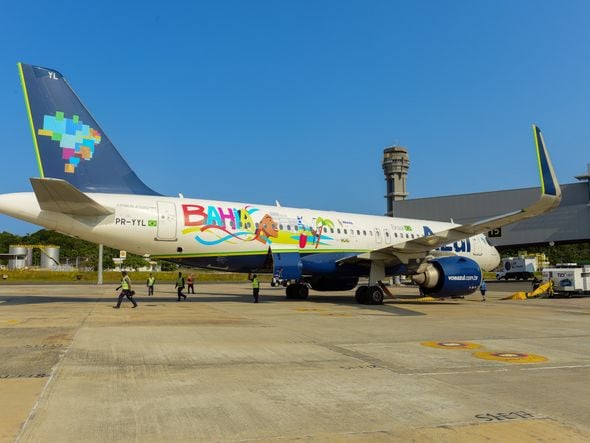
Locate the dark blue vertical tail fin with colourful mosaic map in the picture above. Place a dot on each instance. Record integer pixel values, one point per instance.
(69, 143)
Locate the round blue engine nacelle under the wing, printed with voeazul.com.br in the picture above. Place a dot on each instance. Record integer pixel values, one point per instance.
(449, 276)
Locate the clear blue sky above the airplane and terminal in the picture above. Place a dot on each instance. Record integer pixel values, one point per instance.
(295, 101)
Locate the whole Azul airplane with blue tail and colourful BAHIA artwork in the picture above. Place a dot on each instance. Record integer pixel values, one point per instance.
(87, 190)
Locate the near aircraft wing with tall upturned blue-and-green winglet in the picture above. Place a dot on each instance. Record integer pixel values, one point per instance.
(549, 199)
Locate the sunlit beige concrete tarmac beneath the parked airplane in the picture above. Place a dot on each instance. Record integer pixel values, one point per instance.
(221, 368)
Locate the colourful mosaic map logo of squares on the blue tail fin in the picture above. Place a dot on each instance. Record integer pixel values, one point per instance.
(76, 139)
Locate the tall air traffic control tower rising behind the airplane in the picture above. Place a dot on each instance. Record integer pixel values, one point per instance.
(395, 167)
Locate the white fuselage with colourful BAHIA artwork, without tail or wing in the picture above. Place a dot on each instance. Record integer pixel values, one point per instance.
(172, 227)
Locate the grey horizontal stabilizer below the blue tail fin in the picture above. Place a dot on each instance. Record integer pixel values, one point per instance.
(58, 195)
